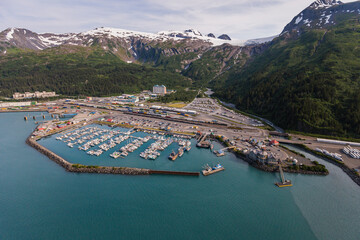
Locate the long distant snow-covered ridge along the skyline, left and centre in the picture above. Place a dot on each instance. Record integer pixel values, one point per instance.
(23, 38)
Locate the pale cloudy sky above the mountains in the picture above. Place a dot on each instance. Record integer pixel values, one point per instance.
(241, 19)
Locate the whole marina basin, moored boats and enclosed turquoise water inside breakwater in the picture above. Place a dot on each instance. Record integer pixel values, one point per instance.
(97, 145)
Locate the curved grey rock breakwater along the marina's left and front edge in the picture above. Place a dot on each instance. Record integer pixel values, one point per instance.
(82, 168)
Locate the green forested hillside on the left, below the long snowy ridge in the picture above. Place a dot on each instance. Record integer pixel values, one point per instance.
(74, 70)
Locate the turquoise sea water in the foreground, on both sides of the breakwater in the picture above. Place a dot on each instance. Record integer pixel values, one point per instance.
(39, 200)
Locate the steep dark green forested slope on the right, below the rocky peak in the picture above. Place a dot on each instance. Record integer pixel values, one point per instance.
(308, 83)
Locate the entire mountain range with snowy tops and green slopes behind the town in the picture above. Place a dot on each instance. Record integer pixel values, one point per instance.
(305, 79)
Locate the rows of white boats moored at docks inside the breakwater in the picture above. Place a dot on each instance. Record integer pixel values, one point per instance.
(96, 141)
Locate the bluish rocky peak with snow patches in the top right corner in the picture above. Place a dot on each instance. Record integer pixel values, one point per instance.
(322, 14)
